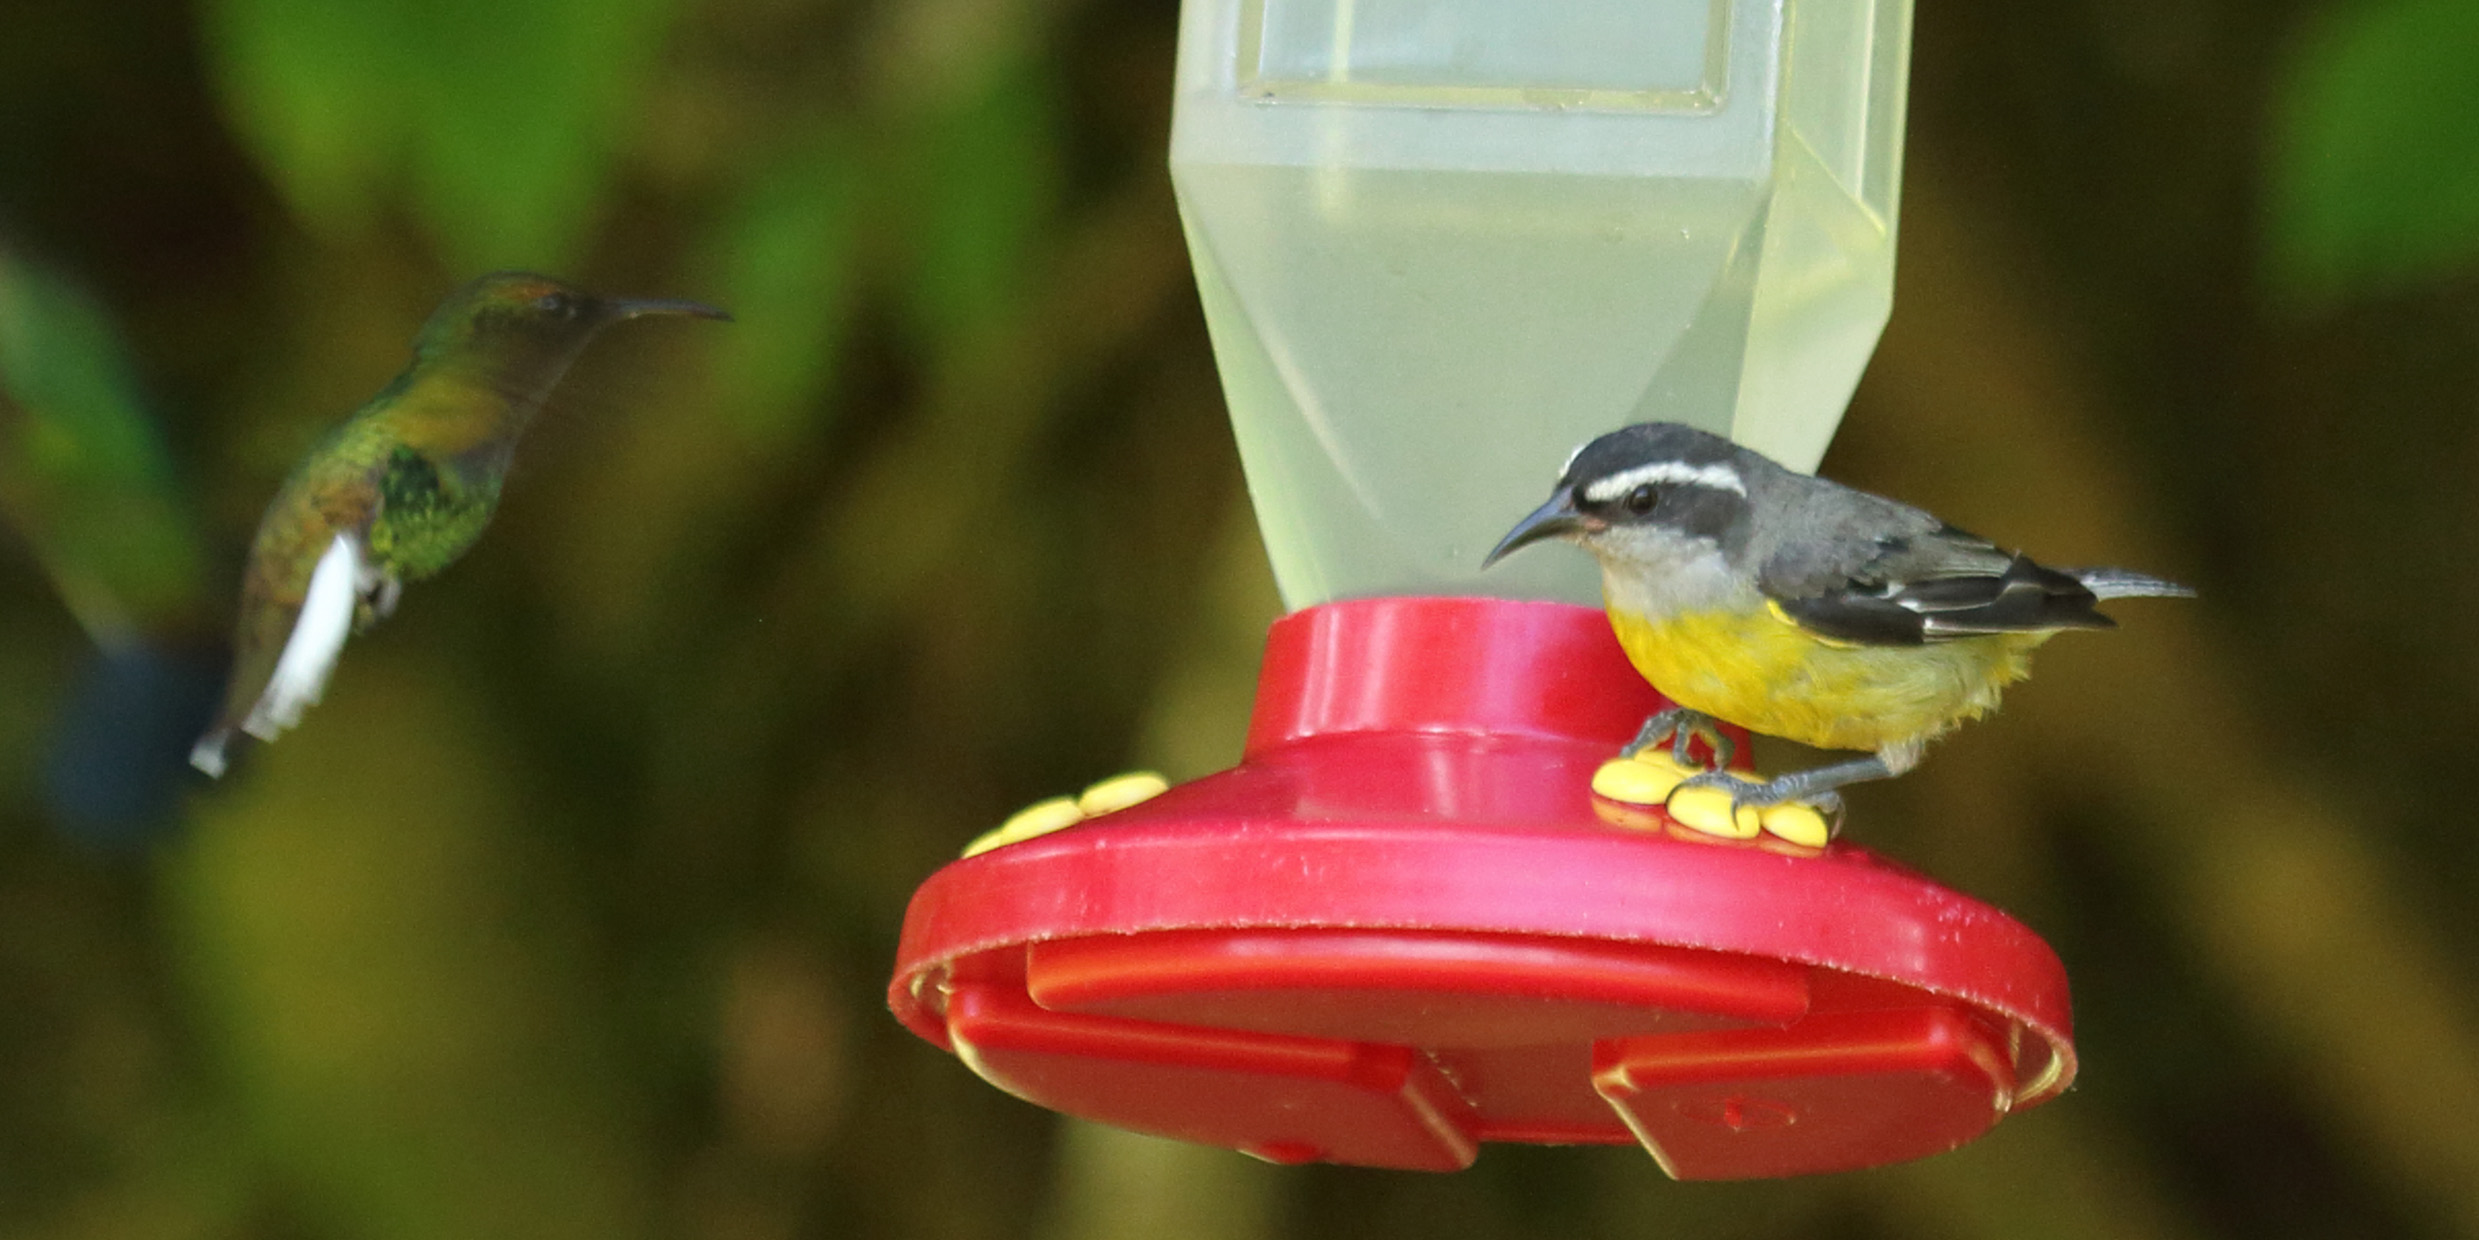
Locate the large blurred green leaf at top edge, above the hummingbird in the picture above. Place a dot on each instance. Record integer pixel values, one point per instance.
(500, 123)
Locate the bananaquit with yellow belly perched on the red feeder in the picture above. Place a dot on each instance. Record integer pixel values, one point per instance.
(1803, 609)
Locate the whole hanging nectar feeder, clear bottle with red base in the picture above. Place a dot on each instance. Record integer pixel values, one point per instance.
(1439, 244)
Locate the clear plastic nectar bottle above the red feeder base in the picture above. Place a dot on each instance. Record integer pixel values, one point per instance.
(1446, 242)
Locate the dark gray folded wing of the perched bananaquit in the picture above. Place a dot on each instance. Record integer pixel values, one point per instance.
(1920, 589)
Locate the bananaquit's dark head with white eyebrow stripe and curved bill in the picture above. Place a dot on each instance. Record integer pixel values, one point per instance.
(1655, 482)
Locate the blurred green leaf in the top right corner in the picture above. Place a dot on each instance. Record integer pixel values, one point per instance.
(2376, 150)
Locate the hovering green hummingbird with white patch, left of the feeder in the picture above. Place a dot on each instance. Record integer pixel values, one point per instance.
(400, 490)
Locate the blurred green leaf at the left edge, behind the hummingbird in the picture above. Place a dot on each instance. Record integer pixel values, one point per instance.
(83, 467)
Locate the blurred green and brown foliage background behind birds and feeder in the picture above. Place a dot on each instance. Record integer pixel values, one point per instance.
(571, 909)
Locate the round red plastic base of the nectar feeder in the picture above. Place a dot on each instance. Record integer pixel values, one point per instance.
(1404, 926)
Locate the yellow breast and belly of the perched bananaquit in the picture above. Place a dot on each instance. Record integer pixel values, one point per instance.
(1776, 678)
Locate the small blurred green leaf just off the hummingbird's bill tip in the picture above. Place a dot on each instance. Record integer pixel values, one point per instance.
(792, 279)
